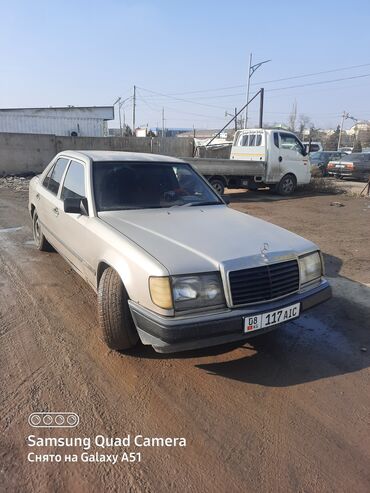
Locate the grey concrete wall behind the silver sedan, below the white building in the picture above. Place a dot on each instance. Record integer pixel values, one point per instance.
(30, 153)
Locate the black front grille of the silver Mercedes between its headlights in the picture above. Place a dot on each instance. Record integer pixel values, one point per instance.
(264, 283)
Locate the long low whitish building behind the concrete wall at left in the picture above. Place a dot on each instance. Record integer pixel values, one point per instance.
(81, 121)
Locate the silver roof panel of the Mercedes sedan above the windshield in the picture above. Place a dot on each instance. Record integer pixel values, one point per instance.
(120, 156)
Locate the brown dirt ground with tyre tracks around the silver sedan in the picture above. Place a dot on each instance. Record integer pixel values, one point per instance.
(289, 411)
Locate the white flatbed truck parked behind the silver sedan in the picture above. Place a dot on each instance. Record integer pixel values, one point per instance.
(259, 157)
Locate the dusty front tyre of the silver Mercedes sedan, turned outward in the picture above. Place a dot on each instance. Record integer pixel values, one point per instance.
(116, 325)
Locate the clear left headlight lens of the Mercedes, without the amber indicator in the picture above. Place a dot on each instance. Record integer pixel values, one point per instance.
(197, 291)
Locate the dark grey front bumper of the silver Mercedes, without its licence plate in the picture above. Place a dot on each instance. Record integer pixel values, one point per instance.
(173, 334)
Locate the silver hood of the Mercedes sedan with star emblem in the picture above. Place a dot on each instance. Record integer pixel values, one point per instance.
(203, 238)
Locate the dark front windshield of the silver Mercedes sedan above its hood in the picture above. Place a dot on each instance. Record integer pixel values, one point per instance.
(147, 185)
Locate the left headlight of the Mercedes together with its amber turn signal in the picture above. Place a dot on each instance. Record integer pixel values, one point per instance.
(187, 292)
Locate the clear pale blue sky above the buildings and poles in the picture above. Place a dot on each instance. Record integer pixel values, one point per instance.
(87, 53)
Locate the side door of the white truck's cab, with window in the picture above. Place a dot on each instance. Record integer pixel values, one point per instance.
(292, 159)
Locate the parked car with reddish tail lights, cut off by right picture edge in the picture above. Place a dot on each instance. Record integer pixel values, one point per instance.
(355, 166)
